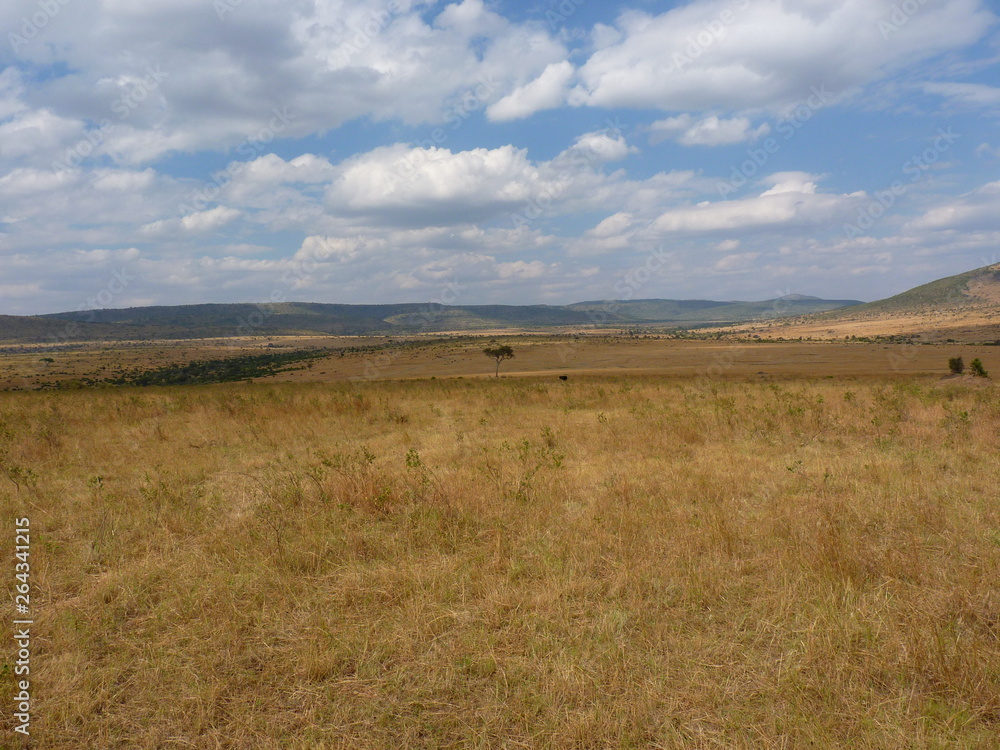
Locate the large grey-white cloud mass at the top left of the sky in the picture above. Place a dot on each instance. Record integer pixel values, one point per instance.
(179, 76)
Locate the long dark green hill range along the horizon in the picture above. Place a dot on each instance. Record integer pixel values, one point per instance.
(225, 320)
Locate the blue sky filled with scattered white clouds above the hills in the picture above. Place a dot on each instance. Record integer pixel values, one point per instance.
(163, 152)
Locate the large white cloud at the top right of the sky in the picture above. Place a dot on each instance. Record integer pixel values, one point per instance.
(765, 54)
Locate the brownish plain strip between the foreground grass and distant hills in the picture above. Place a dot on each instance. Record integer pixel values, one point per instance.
(374, 357)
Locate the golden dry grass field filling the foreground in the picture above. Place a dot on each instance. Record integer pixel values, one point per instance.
(609, 562)
